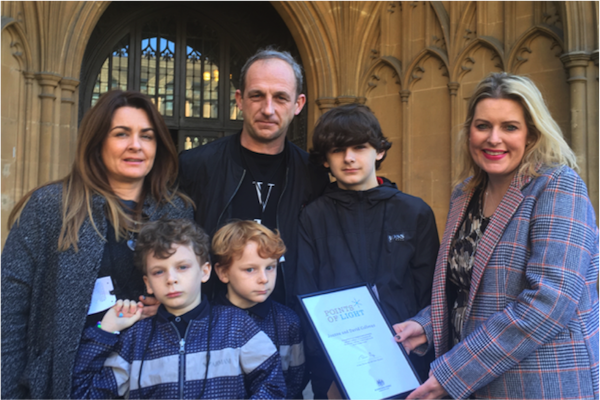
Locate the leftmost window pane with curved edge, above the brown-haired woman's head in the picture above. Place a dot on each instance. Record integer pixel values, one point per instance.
(113, 74)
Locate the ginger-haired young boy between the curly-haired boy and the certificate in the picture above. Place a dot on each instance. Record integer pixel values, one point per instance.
(245, 255)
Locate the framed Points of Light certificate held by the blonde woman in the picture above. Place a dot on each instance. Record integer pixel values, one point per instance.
(358, 341)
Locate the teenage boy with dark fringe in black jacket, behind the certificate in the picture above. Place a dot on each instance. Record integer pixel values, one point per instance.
(363, 229)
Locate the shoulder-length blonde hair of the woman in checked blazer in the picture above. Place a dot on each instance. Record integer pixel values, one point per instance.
(546, 145)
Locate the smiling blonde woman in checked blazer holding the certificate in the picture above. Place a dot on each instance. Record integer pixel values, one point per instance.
(514, 311)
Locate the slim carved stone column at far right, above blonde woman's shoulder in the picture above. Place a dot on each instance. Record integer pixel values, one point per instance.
(576, 63)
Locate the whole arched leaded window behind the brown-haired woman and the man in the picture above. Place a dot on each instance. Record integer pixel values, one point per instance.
(187, 64)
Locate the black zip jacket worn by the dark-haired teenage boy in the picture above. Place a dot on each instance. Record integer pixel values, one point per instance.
(380, 236)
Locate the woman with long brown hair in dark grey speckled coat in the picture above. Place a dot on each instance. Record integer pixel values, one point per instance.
(73, 237)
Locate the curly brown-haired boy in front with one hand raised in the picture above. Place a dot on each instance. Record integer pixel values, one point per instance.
(189, 349)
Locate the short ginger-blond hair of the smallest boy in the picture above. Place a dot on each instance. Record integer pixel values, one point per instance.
(229, 242)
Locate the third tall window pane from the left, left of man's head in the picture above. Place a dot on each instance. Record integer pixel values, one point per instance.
(202, 71)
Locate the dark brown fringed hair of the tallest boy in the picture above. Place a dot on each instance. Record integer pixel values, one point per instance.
(344, 126)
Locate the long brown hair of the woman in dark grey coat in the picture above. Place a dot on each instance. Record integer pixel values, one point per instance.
(88, 175)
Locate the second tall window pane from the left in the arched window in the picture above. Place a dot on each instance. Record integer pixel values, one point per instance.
(157, 77)
